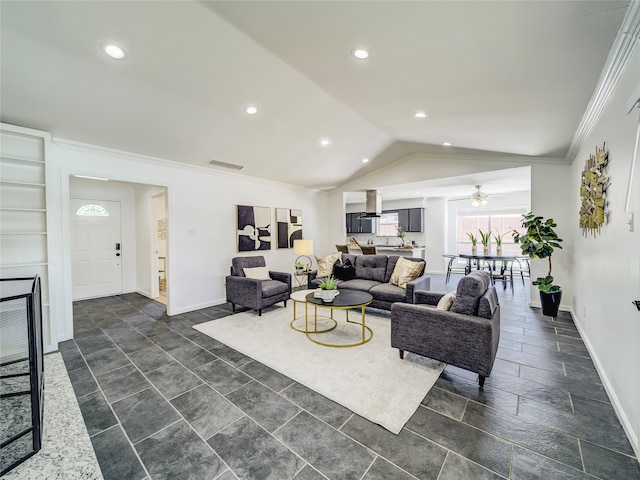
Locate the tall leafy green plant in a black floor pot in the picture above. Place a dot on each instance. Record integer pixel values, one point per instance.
(539, 241)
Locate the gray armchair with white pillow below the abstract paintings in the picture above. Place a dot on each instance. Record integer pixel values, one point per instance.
(253, 293)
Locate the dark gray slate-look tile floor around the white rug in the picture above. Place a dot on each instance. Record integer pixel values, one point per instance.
(163, 401)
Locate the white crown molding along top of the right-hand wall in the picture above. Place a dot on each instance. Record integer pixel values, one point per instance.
(623, 47)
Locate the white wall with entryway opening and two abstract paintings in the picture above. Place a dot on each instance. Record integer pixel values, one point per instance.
(201, 219)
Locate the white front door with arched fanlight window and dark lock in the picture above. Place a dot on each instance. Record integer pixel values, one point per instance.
(96, 250)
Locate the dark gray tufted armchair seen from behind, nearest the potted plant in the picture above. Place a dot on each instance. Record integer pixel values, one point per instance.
(465, 336)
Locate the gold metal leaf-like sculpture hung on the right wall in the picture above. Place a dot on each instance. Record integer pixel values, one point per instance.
(593, 192)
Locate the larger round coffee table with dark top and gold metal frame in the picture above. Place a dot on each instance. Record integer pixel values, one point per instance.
(345, 300)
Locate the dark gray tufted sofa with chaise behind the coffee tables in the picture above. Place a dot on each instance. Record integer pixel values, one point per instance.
(372, 275)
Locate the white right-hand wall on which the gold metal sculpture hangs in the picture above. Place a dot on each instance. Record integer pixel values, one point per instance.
(607, 268)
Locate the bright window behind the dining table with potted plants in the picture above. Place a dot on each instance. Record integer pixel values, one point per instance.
(498, 223)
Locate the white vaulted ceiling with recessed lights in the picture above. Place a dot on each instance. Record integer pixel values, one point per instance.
(512, 77)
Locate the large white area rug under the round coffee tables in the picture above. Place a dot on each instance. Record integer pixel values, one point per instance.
(369, 379)
